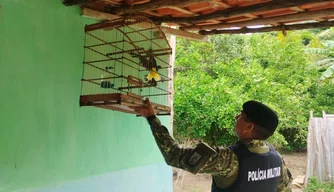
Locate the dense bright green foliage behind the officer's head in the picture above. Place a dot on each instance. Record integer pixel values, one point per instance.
(213, 80)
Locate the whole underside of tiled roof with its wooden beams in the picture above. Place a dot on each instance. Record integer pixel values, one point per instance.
(216, 16)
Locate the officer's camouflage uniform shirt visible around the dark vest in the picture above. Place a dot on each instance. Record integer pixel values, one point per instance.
(223, 163)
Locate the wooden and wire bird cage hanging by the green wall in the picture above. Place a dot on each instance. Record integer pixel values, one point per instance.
(126, 60)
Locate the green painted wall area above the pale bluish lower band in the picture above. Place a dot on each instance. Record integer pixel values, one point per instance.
(45, 138)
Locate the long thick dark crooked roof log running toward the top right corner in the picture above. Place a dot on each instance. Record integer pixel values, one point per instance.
(275, 4)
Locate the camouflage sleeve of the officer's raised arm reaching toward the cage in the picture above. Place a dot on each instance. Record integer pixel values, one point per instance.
(223, 161)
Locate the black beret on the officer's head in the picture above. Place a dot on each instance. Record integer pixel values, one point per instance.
(261, 115)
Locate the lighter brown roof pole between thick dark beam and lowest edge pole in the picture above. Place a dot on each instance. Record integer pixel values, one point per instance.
(266, 21)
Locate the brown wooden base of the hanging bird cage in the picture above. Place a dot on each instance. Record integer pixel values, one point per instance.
(120, 102)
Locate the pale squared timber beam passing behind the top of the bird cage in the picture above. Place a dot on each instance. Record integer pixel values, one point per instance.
(167, 30)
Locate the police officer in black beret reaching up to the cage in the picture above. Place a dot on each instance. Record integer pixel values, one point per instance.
(249, 165)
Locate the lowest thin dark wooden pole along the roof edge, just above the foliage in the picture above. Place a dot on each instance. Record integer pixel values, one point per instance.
(268, 29)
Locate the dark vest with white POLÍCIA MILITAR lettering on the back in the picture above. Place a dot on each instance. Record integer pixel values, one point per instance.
(257, 172)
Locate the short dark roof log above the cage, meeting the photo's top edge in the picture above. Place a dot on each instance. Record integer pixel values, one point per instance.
(153, 5)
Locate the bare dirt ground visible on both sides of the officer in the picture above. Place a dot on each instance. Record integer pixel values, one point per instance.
(187, 182)
